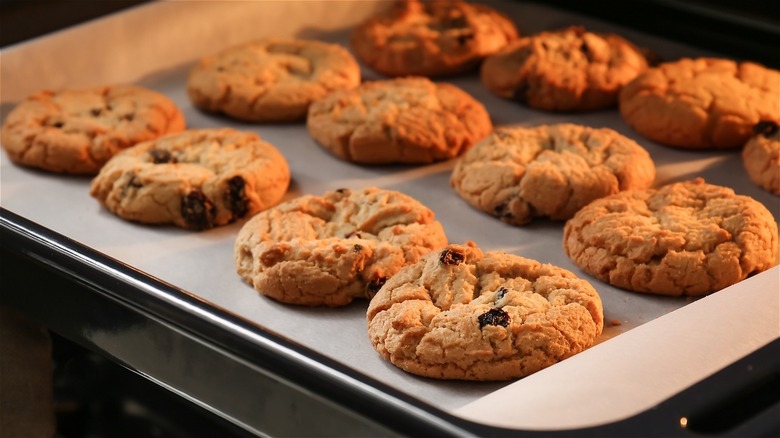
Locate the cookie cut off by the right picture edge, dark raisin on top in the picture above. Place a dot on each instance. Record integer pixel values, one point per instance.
(761, 156)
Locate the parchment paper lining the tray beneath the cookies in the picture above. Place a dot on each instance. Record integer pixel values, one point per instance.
(155, 46)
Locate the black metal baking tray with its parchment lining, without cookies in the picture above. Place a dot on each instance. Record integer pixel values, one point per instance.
(168, 304)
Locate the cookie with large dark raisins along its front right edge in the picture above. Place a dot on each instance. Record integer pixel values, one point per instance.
(196, 179)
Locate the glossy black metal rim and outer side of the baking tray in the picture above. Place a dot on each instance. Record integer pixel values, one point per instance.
(160, 333)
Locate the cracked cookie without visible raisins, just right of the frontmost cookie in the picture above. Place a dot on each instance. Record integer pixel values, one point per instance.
(688, 238)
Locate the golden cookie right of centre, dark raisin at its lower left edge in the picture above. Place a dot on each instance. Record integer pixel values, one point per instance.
(519, 173)
